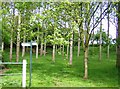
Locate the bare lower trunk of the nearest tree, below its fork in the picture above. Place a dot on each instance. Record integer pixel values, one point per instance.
(86, 63)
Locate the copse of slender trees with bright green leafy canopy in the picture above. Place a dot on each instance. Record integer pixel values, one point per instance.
(56, 23)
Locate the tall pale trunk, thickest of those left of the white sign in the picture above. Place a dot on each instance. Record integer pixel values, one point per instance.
(18, 39)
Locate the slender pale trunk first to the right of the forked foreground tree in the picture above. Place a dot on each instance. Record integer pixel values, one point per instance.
(100, 49)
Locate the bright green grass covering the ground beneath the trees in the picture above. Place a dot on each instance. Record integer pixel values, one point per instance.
(44, 73)
